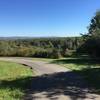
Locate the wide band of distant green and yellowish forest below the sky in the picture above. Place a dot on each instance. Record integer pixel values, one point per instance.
(39, 47)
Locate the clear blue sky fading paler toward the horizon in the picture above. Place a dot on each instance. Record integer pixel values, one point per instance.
(46, 17)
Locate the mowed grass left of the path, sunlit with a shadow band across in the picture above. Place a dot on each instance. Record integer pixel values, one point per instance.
(14, 80)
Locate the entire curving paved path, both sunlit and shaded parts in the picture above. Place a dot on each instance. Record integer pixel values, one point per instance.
(53, 82)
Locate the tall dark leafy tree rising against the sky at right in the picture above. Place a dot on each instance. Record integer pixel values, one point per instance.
(91, 45)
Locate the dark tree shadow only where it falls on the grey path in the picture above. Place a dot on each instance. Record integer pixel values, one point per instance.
(65, 83)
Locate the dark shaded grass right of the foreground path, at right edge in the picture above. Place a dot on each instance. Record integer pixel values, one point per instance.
(92, 75)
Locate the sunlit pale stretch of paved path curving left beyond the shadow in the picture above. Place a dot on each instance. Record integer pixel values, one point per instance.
(40, 67)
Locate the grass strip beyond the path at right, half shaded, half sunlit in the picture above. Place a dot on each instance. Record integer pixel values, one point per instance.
(78, 63)
